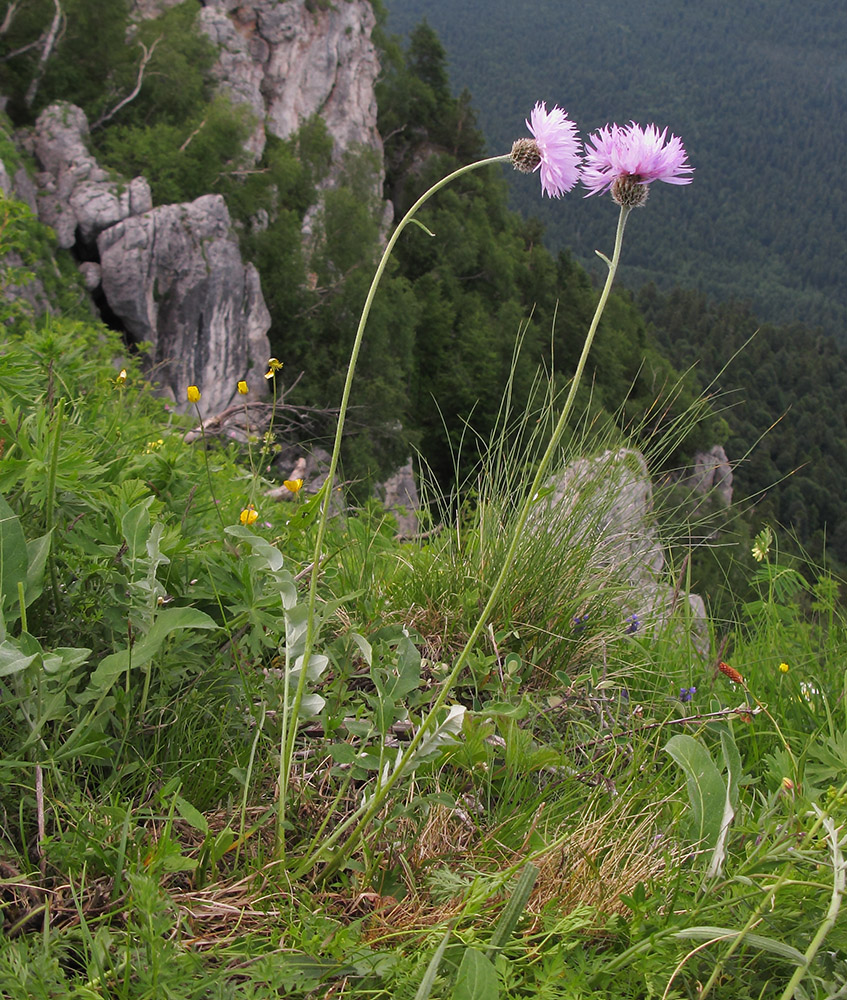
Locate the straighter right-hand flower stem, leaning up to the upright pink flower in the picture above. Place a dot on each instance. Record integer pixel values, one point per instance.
(357, 823)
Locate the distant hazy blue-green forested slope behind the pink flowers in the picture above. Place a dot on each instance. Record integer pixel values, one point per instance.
(758, 91)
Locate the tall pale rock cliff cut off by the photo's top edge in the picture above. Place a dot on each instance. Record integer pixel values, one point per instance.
(287, 63)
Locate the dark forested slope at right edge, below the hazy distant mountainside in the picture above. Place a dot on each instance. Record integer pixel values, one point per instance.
(776, 383)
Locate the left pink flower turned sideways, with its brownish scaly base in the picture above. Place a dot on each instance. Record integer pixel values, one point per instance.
(554, 150)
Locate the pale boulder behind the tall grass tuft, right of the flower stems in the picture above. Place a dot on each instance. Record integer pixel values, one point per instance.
(606, 505)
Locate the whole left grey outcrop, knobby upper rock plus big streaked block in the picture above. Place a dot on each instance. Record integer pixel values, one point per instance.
(172, 276)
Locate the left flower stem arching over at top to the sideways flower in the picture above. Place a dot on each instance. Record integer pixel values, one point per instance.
(290, 732)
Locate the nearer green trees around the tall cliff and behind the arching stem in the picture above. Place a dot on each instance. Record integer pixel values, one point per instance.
(442, 334)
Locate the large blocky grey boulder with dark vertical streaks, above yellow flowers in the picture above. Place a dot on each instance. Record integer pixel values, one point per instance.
(175, 277)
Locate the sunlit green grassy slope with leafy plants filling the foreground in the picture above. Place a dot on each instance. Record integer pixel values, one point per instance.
(553, 836)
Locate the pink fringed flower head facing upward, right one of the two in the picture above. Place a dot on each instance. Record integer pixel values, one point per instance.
(633, 157)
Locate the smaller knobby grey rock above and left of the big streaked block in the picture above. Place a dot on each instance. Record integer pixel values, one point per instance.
(76, 197)
